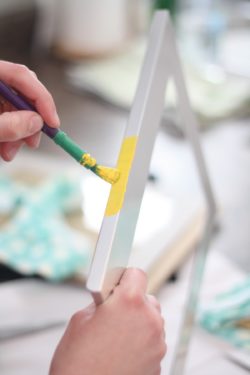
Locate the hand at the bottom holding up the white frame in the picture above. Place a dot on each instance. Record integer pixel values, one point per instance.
(123, 336)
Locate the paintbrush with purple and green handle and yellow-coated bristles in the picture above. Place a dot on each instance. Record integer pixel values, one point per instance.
(108, 174)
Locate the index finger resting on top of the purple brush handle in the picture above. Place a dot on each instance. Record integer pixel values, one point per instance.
(22, 79)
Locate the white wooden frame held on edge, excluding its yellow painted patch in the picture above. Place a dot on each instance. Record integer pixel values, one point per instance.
(114, 244)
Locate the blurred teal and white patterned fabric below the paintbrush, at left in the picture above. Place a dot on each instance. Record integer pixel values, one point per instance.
(37, 239)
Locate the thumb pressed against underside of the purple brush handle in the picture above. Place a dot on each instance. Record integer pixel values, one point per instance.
(18, 125)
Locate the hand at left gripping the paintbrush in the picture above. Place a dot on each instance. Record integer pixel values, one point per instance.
(19, 127)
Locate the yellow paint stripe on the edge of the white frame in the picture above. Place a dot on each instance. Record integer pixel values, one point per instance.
(124, 163)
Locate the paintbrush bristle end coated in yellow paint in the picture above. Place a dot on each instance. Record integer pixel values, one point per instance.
(108, 174)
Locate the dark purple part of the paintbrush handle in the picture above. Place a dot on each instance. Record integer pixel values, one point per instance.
(20, 103)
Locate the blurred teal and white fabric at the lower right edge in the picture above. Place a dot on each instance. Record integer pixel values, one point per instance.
(226, 315)
